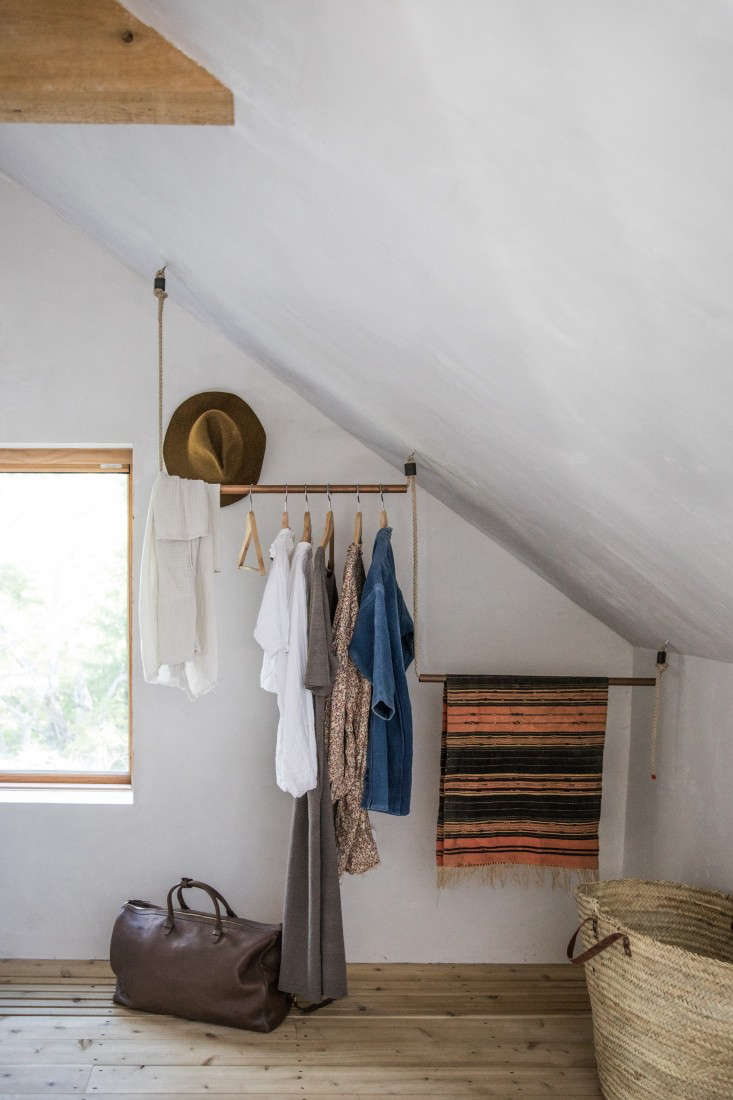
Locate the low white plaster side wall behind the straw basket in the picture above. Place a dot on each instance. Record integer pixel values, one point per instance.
(680, 827)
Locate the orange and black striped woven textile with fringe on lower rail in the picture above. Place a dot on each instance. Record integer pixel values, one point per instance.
(521, 771)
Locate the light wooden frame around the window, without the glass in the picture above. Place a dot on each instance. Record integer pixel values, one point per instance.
(108, 460)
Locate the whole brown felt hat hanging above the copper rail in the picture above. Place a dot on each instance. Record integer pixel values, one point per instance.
(217, 438)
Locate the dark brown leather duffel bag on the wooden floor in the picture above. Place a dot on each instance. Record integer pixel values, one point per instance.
(201, 966)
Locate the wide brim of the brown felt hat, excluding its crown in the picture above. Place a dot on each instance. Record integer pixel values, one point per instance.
(176, 445)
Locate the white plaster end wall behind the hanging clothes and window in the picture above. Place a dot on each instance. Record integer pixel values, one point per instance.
(78, 360)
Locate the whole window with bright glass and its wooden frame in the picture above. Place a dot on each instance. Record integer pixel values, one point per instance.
(65, 595)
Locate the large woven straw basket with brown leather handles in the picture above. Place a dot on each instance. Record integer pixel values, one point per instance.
(660, 970)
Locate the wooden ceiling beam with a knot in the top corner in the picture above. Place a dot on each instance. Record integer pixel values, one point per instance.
(92, 61)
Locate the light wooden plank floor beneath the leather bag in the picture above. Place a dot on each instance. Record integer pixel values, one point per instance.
(411, 1031)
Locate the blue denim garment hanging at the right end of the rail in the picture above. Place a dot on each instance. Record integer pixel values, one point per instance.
(382, 648)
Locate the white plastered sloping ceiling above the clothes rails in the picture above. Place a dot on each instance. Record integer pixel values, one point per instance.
(497, 232)
